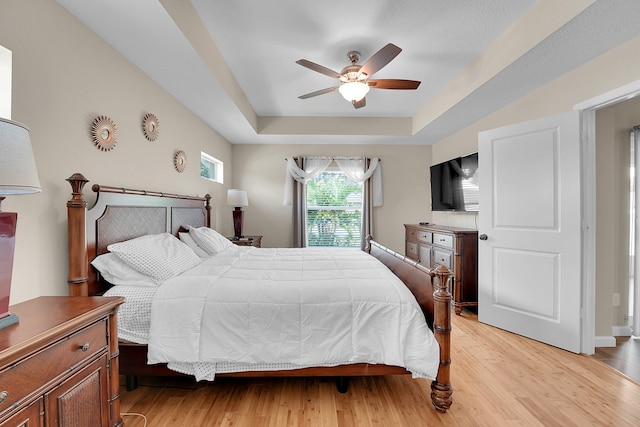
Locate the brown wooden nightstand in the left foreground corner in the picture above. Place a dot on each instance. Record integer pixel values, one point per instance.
(59, 364)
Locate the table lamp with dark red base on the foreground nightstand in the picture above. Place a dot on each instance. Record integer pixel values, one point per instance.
(18, 175)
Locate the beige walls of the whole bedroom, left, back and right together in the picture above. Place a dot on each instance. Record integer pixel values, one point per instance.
(64, 76)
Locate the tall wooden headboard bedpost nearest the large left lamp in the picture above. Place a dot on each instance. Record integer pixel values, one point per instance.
(78, 259)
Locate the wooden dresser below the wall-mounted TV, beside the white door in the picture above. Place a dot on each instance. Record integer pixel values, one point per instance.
(454, 247)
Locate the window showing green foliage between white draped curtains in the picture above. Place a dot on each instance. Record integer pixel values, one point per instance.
(334, 210)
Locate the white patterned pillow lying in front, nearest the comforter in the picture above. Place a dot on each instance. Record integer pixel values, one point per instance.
(161, 256)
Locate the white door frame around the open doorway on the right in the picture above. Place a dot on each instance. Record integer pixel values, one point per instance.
(587, 111)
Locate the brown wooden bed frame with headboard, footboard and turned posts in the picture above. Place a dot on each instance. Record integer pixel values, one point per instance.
(120, 214)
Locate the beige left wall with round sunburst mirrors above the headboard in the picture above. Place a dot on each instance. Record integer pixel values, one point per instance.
(63, 77)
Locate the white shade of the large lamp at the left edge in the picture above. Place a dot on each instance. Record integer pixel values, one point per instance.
(18, 173)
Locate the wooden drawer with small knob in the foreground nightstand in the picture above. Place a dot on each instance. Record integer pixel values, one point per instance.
(57, 360)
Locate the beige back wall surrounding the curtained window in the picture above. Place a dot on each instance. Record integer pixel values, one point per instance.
(260, 169)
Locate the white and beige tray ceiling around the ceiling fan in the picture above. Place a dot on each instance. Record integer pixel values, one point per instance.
(233, 62)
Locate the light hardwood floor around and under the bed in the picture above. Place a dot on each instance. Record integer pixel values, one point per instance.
(499, 379)
